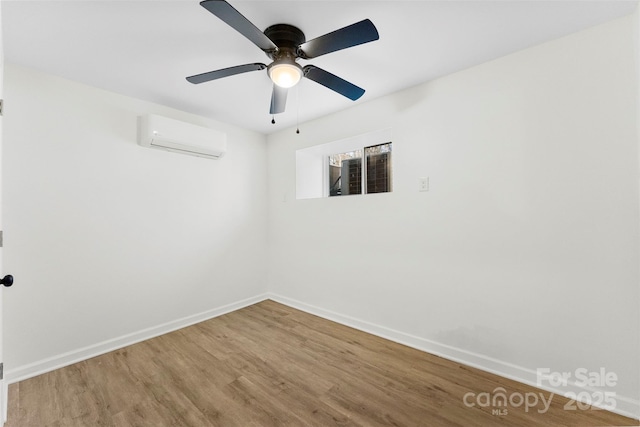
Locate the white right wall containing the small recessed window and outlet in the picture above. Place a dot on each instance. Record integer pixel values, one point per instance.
(524, 253)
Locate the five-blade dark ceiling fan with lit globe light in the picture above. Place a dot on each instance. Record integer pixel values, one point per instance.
(285, 44)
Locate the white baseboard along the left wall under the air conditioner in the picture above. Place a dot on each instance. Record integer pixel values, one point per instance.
(46, 365)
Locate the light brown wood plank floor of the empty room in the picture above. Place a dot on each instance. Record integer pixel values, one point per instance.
(270, 365)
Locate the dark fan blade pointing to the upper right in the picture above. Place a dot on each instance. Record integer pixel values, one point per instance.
(352, 35)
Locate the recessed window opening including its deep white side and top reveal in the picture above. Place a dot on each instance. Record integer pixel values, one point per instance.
(360, 164)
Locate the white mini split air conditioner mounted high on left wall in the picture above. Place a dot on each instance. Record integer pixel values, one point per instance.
(180, 137)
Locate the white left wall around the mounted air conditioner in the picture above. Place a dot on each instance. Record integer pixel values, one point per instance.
(106, 238)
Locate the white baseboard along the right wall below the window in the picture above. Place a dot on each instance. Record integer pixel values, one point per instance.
(624, 405)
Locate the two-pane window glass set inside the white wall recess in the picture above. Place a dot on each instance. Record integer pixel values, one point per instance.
(347, 176)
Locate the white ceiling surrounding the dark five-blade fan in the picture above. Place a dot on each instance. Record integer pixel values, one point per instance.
(145, 49)
